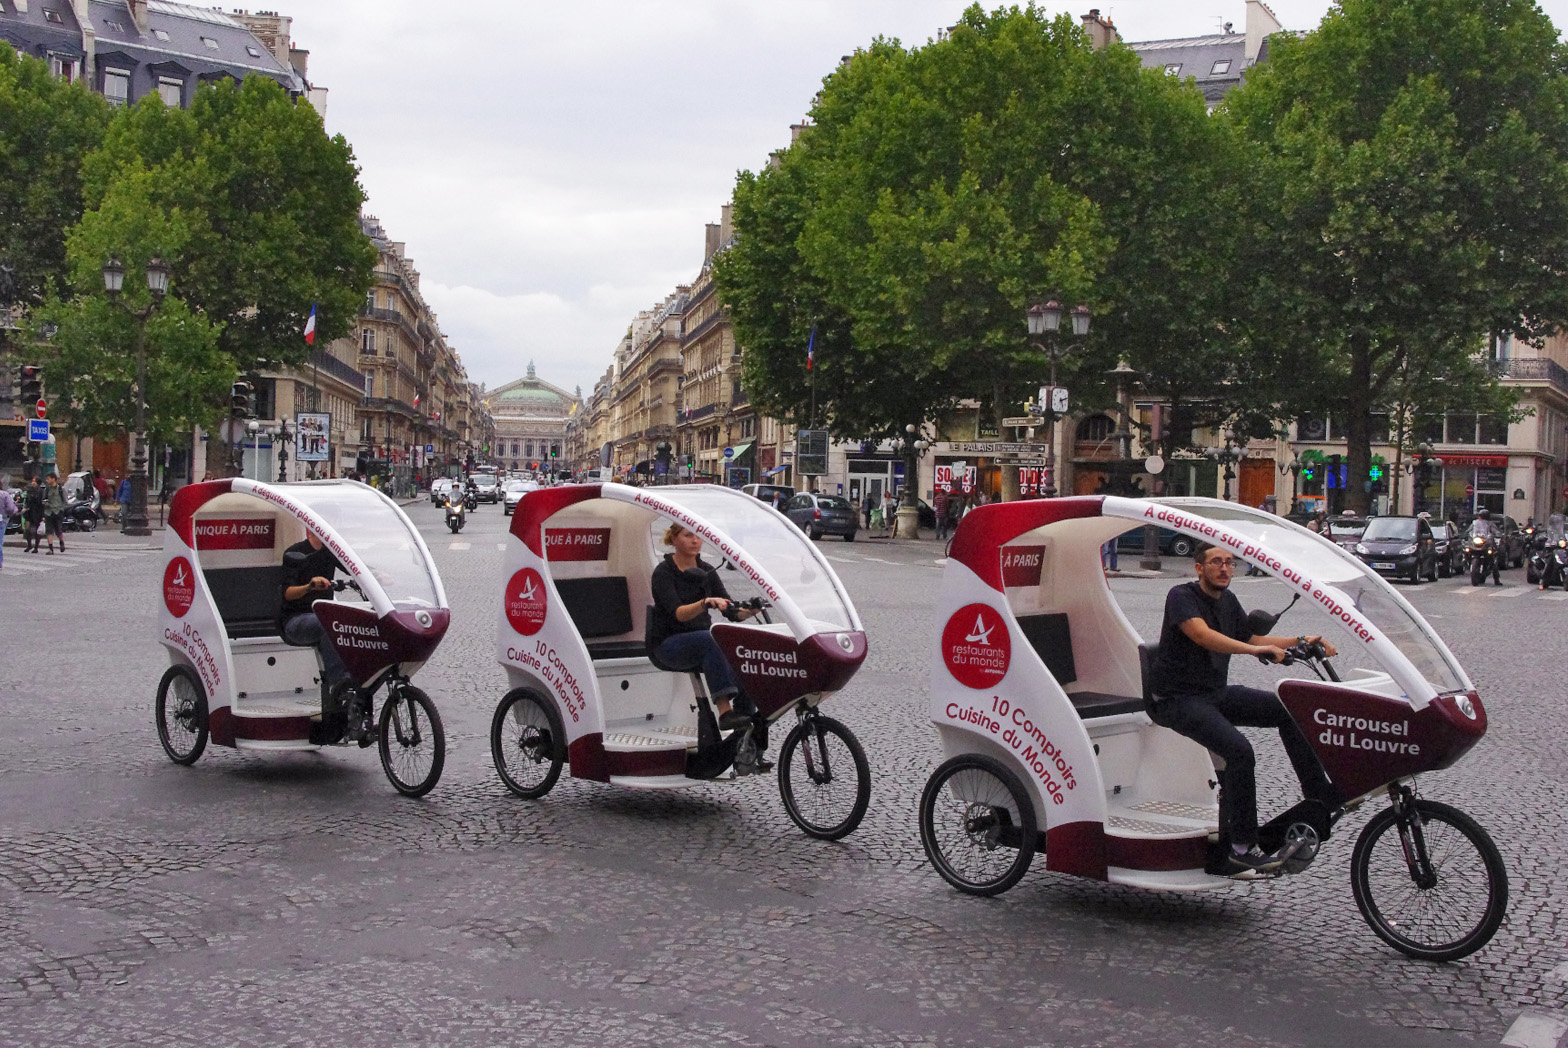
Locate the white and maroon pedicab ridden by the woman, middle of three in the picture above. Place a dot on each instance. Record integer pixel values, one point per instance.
(587, 693)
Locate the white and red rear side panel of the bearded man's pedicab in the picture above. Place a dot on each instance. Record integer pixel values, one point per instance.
(989, 683)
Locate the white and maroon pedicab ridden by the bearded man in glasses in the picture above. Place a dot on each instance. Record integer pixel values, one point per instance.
(1040, 690)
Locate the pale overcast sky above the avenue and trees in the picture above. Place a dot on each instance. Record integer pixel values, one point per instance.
(551, 167)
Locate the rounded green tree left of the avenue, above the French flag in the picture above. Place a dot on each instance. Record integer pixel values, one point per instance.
(270, 205)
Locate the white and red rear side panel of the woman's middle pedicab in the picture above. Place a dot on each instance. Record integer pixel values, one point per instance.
(535, 638)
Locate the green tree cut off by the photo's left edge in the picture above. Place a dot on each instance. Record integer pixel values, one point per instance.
(46, 128)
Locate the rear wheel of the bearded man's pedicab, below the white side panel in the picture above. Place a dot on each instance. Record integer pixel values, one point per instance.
(978, 824)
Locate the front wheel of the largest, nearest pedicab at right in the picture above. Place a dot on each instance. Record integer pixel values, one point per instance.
(1429, 881)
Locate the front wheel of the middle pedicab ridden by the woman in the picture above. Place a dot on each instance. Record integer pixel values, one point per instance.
(816, 762)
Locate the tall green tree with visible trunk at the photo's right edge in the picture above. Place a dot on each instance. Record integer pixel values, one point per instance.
(1409, 189)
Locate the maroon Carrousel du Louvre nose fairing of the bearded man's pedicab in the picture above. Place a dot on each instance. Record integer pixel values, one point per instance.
(1367, 741)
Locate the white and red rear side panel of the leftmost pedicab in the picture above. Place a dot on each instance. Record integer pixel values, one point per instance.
(191, 627)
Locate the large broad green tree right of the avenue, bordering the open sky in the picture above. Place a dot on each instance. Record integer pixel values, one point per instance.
(938, 192)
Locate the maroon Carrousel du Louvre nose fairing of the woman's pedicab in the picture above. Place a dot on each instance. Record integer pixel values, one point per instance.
(775, 669)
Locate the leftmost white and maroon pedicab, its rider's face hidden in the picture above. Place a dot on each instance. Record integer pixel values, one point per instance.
(234, 680)
